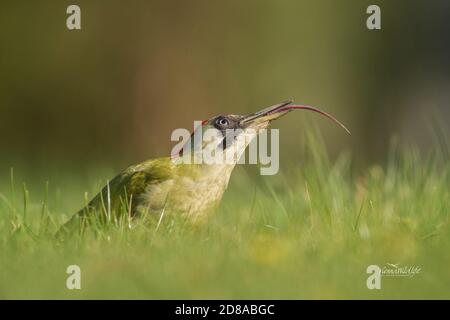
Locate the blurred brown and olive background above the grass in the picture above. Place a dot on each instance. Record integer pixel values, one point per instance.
(112, 92)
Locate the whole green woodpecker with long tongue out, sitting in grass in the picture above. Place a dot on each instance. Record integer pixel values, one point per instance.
(175, 183)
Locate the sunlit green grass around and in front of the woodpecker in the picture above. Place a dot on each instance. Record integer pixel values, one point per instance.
(308, 232)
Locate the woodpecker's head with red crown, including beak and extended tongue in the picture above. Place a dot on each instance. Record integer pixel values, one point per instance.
(228, 135)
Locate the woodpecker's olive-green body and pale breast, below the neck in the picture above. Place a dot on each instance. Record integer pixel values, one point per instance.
(152, 186)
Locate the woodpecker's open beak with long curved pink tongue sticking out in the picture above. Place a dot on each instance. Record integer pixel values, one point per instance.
(269, 114)
